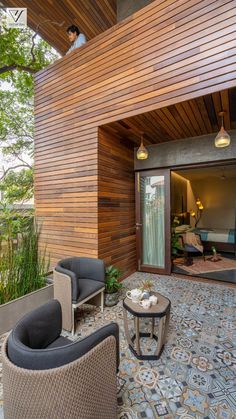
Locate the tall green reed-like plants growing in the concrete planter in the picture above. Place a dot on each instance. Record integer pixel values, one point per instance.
(23, 268)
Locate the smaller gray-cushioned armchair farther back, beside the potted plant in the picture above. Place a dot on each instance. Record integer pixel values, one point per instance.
(76, 281)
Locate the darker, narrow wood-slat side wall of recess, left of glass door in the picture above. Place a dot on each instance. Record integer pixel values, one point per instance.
(116, 202)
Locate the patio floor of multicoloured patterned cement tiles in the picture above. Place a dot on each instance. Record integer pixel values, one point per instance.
(196, 374)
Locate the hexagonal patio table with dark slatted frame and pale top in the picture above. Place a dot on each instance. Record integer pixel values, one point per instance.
(161, 310)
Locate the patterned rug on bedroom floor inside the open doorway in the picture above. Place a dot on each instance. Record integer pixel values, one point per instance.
(200, 266)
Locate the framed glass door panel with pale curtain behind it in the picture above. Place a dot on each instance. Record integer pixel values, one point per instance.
(153, 221)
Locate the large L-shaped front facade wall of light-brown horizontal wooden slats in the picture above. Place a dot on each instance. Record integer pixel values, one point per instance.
(168, 52)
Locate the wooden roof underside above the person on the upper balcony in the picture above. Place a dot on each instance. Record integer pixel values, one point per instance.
(50, 18)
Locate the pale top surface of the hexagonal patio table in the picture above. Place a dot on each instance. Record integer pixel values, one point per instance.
(158, 310)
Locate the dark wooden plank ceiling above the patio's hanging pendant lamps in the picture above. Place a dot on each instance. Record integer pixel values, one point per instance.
(186, 119)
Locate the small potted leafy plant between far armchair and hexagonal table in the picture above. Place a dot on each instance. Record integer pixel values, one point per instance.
(112, 285)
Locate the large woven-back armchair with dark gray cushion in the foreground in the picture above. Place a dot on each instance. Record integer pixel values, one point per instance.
(47, 376)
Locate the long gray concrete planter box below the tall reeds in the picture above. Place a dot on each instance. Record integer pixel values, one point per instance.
(11, 312)
